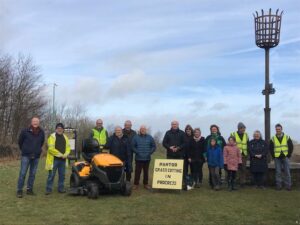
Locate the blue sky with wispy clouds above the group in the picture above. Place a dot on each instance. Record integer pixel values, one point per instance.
(155, 61)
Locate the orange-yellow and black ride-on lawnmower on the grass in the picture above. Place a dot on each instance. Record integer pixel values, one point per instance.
(100, 173)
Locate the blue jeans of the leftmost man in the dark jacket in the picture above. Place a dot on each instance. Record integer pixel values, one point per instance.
(32, 164)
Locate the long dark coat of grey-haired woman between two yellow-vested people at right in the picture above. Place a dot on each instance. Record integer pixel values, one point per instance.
(258, 147)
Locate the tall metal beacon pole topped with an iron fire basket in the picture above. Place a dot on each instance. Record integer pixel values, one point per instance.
(267, 35)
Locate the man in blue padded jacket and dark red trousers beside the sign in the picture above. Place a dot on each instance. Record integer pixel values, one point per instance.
(143, 146)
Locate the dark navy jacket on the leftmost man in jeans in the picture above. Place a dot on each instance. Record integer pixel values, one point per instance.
(30, 144)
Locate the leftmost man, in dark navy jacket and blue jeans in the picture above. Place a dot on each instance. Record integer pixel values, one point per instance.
(31, 141)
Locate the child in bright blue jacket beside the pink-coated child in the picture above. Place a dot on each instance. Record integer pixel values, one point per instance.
(215, 162)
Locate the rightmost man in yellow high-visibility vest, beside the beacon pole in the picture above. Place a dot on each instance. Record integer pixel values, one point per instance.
(281, 148)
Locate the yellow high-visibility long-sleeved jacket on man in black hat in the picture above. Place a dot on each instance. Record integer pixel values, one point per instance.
(52, 152)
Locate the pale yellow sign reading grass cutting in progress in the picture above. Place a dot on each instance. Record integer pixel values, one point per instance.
(168, 174)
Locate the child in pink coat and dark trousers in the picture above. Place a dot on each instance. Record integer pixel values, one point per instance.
(232, 161)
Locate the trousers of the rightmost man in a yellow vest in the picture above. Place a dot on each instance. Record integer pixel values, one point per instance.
(283, 164)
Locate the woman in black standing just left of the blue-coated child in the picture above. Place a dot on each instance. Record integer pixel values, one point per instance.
(195, 155)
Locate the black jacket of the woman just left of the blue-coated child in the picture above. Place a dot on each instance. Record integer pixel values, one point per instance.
(196, 150)
